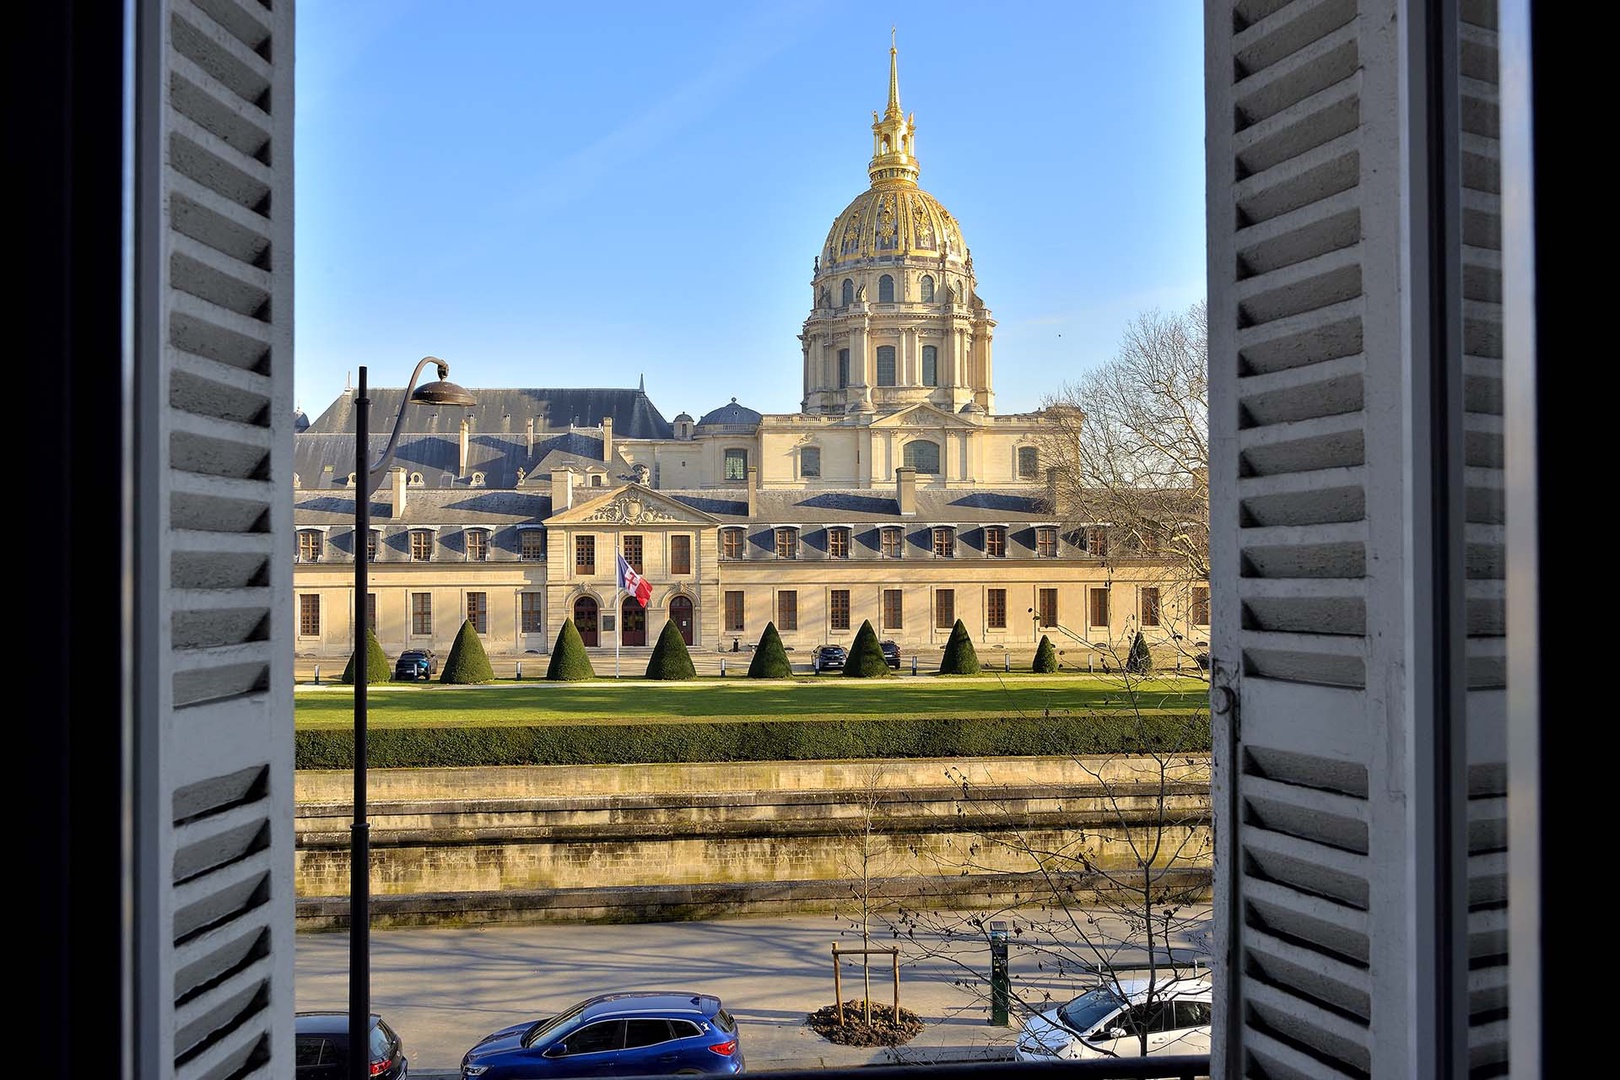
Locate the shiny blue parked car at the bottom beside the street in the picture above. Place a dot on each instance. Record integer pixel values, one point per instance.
(631, 1034)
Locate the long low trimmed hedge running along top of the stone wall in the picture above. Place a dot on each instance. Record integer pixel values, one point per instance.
(754, 741)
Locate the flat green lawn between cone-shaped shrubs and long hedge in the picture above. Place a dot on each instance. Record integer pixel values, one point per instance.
(806, 699)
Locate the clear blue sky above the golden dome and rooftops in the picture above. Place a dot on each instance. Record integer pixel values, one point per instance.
(565, 195)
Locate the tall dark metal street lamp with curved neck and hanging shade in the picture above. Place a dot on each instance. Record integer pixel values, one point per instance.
(367, 480)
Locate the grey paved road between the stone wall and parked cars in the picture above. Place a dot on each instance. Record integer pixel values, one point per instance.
(443, 990)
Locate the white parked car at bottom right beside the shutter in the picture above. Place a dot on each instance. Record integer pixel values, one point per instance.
(1109, 1021)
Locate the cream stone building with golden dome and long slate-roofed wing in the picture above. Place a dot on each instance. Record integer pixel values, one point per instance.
(895, 495)
